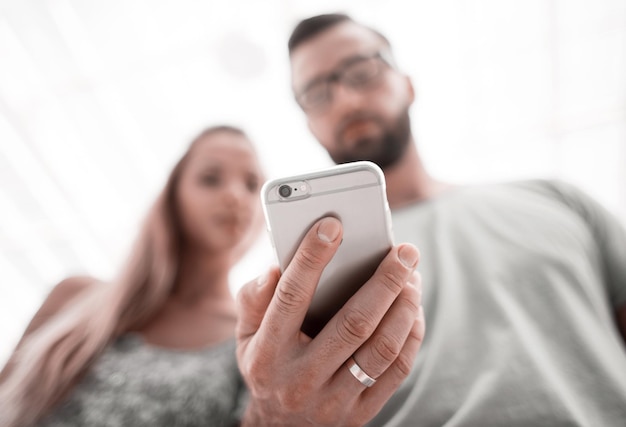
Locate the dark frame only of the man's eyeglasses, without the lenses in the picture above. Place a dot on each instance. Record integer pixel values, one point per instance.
(336, 76)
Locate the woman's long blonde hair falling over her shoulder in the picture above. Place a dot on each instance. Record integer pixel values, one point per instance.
(50, 360)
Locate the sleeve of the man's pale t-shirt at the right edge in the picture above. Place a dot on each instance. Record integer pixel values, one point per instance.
(609, 235)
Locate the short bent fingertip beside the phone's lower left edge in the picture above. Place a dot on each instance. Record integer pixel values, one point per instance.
(252, 302)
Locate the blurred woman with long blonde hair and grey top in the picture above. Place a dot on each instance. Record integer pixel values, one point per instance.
(154, 347)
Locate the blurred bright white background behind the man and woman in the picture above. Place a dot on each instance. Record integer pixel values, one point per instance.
(99, 98)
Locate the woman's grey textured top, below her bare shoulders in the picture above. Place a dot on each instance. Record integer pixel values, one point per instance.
(137, 384)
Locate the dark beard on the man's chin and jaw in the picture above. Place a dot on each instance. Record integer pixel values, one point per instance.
(385, 150)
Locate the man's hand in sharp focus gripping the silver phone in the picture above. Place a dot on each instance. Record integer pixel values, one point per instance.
(296, 380)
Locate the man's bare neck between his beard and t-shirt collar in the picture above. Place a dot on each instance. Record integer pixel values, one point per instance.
(408, 182)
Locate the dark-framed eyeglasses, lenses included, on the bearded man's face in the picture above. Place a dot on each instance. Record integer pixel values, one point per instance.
(358, 73)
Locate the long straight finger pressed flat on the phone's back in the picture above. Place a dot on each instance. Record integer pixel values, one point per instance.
(297, 285)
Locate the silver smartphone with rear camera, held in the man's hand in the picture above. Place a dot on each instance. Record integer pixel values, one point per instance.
(355, 194)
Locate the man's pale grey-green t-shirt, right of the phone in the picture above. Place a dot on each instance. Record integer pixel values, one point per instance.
(520, 285)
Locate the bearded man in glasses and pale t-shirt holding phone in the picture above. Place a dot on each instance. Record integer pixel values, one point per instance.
(524, 283)
